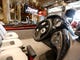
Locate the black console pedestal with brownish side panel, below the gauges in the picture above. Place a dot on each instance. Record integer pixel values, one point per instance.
(59, 40)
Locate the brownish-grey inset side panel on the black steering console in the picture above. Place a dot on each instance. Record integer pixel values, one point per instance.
(57, 41)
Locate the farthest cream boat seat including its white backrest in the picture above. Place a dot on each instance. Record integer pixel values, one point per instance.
(7, 35)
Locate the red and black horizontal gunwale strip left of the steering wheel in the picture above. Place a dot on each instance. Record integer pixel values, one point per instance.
(19, 27)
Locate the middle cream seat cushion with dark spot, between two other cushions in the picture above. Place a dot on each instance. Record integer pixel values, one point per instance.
(6, 44)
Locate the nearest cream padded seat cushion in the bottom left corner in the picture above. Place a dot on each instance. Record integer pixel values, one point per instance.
(13, 54)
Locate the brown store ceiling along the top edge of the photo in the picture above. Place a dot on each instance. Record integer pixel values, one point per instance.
(39, 4)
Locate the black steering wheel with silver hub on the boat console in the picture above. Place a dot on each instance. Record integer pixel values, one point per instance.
(42, 30)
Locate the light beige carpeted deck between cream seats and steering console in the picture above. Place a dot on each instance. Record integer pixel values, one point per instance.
(38, 47)
